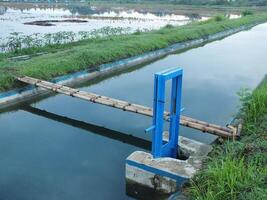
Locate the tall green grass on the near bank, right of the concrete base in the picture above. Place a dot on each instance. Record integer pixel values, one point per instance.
(238, 169)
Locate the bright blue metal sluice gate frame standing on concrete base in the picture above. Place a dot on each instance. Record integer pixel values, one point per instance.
(159, 147)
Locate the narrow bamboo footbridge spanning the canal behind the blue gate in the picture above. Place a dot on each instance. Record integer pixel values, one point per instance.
(226, 132)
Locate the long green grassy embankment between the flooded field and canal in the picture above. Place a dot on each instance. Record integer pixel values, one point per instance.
(68, 58)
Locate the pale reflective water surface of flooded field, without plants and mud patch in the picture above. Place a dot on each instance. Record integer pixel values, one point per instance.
(14, 19)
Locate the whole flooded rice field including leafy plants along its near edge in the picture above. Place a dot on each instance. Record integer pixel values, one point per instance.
(35, 26)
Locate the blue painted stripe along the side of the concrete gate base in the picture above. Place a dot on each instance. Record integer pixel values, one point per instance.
(179, 179)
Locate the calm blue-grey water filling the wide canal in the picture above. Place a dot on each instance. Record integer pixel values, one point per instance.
(44, 155)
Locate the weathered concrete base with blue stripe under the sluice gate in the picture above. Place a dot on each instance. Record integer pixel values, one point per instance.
(147, 177)
